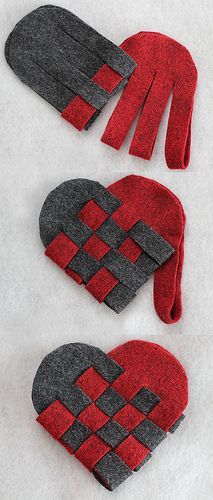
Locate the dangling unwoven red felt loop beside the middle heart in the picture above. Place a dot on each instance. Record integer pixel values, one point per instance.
(167, 287)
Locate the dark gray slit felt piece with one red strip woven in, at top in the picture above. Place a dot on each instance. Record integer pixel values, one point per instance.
(58, 56)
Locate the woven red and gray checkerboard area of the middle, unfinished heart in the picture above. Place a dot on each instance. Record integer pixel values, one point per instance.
(111, 262)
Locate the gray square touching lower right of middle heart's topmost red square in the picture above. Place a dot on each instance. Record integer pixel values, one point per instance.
(111, 233)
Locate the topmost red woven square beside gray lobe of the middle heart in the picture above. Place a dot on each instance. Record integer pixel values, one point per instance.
(92, 215)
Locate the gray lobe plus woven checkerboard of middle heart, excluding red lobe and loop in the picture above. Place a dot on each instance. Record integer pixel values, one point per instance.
(100, 242)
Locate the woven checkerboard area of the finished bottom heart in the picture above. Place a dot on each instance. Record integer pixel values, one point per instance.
(110, 434)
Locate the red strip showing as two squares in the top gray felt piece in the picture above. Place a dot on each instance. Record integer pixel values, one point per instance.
(79, 112)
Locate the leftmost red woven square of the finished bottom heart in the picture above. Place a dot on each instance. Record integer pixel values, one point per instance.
(56, 419)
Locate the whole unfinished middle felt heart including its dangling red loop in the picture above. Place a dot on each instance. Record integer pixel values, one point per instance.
(111, 240)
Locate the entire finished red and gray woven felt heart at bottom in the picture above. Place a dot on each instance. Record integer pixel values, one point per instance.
(110, 411)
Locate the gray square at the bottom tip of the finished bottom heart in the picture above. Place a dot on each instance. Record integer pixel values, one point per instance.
(111, 471)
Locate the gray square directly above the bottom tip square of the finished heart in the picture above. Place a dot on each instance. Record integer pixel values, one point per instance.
(112, 433)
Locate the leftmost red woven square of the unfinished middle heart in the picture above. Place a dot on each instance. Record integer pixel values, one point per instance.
(61, 250)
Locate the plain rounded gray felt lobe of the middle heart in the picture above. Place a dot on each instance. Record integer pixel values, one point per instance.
(66, 200)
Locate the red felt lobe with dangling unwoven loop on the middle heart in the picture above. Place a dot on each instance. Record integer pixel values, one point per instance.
(162, 211)
